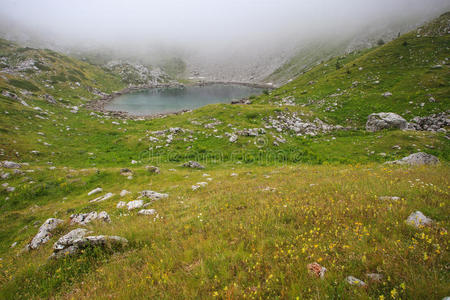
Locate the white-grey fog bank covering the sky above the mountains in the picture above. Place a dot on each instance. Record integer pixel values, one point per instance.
(202, 28)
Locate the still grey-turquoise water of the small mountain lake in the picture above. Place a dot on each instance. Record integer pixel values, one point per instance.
(165, 100)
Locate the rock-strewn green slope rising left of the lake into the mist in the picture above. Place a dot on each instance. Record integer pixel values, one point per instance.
(35, 72)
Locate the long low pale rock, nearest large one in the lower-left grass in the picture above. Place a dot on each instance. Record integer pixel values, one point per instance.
(75, 241)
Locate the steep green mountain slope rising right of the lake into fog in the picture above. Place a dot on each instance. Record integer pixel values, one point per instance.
(414, 68)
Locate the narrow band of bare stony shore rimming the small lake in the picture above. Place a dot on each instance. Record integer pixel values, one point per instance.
(99, 105)
